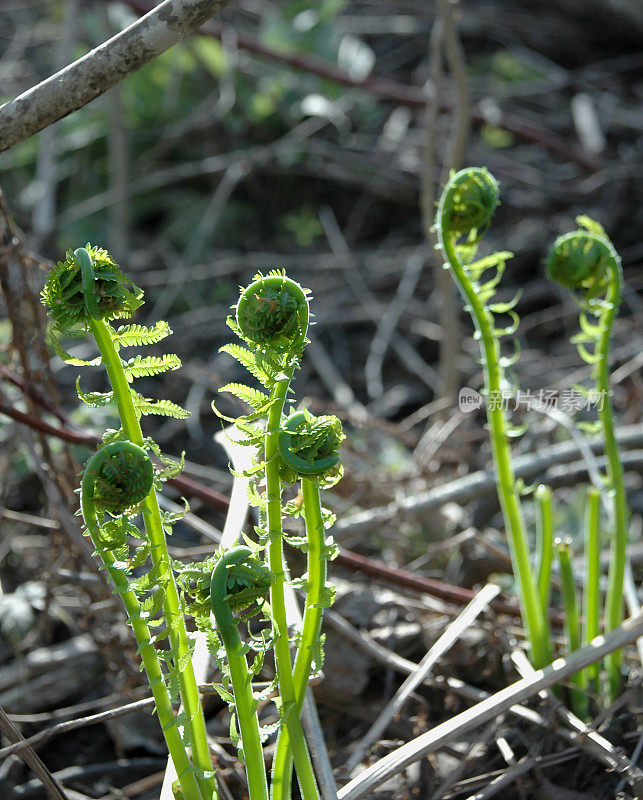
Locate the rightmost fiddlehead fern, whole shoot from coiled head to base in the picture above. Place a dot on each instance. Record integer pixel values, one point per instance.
(586, 263)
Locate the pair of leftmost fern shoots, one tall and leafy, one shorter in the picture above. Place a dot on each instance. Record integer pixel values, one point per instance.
(84, 293)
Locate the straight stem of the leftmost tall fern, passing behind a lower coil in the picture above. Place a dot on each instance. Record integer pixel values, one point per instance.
(161, 561)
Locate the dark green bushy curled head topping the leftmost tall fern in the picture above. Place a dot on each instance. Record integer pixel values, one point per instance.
(89, 284)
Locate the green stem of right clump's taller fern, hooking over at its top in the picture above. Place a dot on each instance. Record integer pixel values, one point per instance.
(531, 609)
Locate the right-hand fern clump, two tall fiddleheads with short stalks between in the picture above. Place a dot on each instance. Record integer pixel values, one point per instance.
(585, 263)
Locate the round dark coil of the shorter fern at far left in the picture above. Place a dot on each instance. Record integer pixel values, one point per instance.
(117, 477)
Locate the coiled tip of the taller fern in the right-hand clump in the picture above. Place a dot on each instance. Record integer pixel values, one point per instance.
(468, 202)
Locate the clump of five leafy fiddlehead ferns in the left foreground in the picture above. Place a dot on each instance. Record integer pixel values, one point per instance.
(84, 294)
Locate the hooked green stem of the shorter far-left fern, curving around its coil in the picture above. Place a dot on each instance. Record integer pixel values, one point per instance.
(149, 657)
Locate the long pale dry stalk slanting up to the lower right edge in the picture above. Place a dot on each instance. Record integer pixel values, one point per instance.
(428, 742)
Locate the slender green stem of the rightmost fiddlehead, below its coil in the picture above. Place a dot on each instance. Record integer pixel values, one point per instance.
(616, 574)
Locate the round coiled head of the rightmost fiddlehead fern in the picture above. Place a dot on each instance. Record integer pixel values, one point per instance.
(585, 261)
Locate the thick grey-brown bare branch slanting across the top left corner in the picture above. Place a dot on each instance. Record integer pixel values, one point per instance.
(101, 68)
